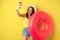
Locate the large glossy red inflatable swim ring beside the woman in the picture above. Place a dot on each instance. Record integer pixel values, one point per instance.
(33, 22)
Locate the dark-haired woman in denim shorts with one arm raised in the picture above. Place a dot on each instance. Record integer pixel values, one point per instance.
(30, 12)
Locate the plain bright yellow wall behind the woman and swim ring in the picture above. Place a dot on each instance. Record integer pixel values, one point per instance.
(11, 24)
